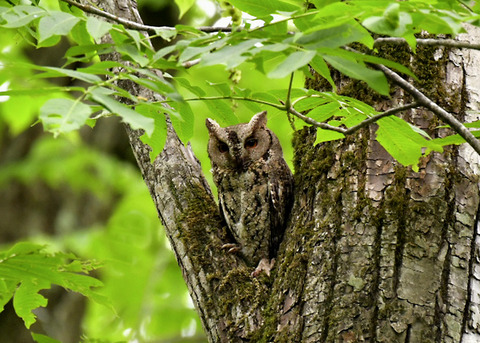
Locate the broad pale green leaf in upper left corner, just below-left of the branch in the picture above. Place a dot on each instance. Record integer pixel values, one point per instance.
(54, 24)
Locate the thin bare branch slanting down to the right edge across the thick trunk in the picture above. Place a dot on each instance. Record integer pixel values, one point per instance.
(424, 101)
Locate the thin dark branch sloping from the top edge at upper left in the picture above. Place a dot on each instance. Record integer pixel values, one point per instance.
(137, 26)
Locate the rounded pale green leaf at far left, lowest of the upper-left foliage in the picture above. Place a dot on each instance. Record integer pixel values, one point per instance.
(64, 115)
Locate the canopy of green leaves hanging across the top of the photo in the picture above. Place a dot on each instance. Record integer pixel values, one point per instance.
(293, 36)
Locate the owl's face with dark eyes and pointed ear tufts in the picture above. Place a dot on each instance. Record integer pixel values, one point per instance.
(238, 146)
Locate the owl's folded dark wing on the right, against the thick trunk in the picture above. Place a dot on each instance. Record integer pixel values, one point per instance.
(280, 186)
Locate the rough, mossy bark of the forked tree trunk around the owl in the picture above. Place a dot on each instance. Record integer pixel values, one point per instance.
(374, 252)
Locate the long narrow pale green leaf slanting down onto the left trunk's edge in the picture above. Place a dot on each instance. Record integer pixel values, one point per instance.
(137, 121)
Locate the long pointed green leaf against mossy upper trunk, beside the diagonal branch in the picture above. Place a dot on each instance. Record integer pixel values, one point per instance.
(374, 78)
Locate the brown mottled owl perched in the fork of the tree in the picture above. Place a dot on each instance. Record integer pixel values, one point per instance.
(255, 187)
